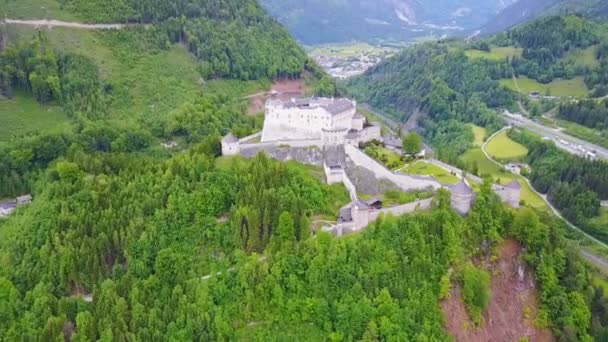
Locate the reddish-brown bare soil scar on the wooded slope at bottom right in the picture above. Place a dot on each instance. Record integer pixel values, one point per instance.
(513, 306)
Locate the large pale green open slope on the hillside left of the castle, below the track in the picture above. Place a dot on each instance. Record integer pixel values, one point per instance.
(146, 82)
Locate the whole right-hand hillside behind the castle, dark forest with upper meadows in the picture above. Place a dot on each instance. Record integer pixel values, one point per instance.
(455, 82)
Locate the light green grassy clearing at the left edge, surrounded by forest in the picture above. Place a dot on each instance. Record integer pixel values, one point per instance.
(24, 114)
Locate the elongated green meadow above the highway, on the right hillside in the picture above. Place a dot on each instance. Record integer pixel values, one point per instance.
(575, 87)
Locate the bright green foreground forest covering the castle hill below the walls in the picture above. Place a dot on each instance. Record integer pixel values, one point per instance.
(141, 234)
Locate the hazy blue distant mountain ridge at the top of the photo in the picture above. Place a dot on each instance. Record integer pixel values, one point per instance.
(316, 22)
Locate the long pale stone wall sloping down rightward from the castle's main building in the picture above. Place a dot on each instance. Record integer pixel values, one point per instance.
(405, 182)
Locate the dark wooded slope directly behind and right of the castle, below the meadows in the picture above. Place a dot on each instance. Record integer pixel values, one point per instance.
(451, 88)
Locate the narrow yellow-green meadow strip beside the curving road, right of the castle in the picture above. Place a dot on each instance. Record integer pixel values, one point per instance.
(487, 167)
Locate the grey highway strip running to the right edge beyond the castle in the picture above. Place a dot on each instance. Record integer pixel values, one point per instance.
(562, 140)
